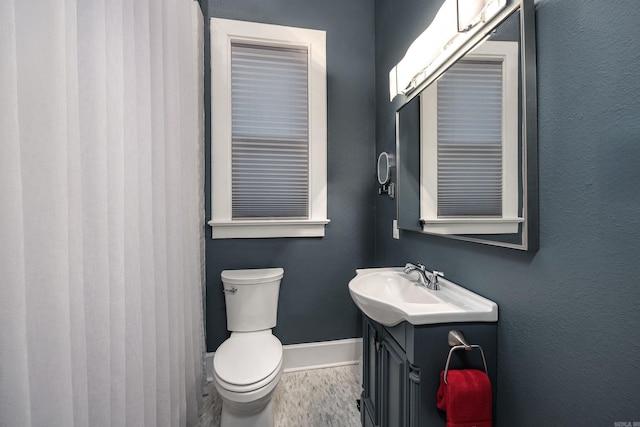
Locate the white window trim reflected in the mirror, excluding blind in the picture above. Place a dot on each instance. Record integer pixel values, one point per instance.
(507, 52)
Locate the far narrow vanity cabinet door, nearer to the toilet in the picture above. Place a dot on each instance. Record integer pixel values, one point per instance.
(370, 374)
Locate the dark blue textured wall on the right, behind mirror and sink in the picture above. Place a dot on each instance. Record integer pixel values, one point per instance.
(569, 328)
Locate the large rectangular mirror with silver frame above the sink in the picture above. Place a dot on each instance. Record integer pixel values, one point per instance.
(424, 181)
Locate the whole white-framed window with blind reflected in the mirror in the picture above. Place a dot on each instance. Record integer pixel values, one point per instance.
(469, 176)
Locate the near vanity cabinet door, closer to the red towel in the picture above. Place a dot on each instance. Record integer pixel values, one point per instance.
(393, 384)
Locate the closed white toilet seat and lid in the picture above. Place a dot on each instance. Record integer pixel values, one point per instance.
(248, 361)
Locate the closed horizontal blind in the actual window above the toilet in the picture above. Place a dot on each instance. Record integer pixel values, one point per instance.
(270, 132)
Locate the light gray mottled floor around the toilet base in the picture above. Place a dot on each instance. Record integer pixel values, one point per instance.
(313, 398)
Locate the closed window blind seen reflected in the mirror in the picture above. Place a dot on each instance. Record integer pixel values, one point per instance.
(470, 140)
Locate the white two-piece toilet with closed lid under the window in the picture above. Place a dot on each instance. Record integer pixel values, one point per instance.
(248, 365)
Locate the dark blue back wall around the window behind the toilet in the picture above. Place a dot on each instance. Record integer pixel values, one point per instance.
(314, 299)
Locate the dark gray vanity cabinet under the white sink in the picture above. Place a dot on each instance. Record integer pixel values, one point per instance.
(401, 370)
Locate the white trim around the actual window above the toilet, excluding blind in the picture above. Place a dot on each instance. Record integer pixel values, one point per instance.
(223, 33)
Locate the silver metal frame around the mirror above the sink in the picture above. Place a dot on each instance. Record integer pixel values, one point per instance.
(529, 126)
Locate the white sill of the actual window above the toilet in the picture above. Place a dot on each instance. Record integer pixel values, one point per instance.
(247, 229)
